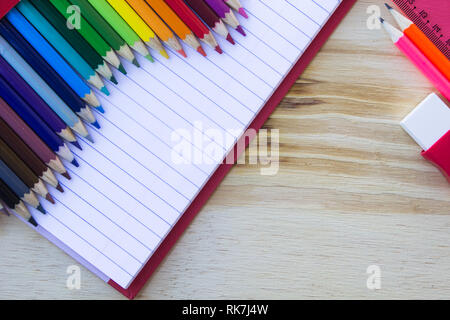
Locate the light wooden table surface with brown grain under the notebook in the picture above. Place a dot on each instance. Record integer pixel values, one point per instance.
(352, 191)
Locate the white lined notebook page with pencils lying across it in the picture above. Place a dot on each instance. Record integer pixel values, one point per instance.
(135, 181)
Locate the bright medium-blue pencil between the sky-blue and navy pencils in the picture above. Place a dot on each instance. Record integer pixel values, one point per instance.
(53, 58)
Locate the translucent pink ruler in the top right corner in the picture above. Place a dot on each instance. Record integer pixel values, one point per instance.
(432, 17)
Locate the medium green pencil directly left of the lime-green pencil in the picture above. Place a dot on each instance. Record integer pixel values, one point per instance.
(105, 30)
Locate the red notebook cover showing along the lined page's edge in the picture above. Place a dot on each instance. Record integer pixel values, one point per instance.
(222, 171)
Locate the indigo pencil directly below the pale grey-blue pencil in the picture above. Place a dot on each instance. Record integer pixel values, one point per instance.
(36, 102)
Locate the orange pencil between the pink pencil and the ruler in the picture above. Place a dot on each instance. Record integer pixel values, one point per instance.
(422, 42)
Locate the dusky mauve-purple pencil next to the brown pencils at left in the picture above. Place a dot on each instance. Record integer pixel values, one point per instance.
(32, 140)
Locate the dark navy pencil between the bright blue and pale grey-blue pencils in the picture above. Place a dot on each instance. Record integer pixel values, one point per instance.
(61, 88)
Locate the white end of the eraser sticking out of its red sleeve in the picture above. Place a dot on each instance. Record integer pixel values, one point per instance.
(428, 122)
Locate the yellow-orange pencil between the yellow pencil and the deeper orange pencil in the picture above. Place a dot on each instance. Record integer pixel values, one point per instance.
(157, 25)
